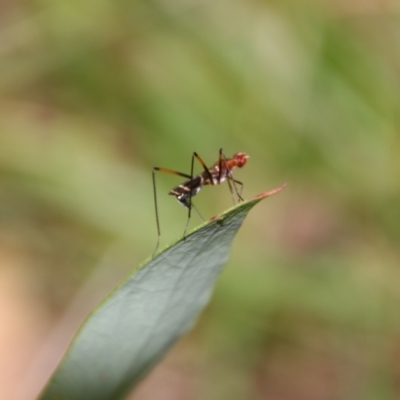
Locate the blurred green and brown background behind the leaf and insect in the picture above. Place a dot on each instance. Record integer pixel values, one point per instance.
(96, 93)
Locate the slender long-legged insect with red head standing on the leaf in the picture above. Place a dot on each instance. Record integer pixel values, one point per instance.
(215, 175)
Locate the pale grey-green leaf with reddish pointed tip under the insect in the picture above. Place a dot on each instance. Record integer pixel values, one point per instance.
(146, 314)
